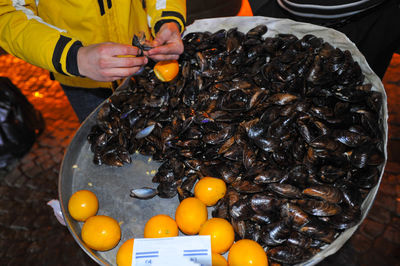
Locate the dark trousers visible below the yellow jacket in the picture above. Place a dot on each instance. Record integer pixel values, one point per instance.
(84, 101)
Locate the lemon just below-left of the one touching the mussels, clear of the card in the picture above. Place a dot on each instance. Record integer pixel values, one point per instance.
(190, 215)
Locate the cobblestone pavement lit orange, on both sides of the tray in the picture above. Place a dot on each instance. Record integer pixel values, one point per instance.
(31, 235)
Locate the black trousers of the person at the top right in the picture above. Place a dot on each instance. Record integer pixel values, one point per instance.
(376, 32)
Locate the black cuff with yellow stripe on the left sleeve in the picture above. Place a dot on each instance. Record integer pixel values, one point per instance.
(65, 56)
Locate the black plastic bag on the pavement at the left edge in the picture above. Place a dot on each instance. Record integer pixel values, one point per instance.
(20, 123)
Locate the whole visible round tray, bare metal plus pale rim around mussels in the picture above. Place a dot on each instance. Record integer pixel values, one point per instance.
(112, 184)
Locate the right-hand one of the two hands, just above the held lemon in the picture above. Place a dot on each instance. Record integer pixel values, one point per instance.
(167, 44)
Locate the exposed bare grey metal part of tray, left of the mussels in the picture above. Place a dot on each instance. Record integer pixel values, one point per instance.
(112, 186)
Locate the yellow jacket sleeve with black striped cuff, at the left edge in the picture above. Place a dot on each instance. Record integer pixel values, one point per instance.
(28, 37)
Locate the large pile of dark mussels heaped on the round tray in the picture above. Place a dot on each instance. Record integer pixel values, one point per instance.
(287, 123)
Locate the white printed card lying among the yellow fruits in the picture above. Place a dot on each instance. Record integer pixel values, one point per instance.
(172, 251)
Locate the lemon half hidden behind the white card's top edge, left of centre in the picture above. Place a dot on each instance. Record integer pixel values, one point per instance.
(160, 225)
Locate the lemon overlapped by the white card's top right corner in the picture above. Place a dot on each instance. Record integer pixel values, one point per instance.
(221, 233)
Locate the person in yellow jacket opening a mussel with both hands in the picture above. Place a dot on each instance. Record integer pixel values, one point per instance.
(86, 45)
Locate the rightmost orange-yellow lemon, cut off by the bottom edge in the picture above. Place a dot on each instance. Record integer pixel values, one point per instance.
(247, 252)
